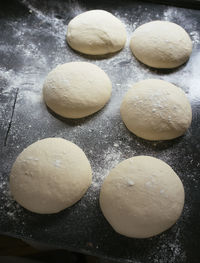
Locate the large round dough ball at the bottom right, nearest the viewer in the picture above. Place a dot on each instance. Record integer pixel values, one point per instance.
(142, 197)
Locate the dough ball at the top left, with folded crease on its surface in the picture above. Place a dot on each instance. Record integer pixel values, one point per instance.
(96, 32)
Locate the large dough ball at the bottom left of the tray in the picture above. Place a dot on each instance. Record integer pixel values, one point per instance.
(50, 175)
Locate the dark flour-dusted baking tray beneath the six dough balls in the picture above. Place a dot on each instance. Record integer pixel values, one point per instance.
(33, 42)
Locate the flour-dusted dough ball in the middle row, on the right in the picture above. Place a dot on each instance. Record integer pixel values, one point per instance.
(154, 109)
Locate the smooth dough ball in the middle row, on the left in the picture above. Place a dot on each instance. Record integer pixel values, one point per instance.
(76, 89)
